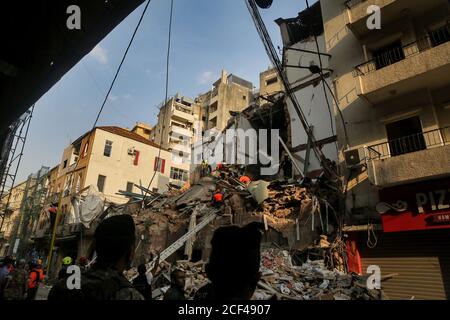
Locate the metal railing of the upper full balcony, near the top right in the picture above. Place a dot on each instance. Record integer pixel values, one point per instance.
(433, 39)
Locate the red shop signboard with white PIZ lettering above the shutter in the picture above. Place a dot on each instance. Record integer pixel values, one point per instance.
(418, 206)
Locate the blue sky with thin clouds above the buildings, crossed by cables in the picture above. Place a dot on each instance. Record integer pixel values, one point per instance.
(208, 35)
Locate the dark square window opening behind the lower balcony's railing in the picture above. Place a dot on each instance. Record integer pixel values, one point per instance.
(405, 136)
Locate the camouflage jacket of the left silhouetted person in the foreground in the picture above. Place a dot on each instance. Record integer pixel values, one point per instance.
(96, 284)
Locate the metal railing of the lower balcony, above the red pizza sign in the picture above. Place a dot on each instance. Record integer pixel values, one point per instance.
(409, 144)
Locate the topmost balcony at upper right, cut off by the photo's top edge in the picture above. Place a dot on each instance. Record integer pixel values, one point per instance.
(391, 11)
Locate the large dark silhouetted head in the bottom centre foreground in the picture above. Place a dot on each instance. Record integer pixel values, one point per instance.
(234, 262)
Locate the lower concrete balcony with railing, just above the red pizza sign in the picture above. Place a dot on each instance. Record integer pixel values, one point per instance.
(409, 159)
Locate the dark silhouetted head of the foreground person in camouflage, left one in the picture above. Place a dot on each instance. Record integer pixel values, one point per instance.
(115, 242)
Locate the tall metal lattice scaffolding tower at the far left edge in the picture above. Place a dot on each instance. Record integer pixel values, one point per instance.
(10, 159)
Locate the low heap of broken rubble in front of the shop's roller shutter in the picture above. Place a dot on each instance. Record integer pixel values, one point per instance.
(310, 281)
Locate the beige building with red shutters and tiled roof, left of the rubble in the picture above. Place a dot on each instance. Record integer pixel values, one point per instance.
(111, 158)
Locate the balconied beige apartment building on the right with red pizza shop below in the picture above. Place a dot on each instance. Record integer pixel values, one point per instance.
(393, 89)
